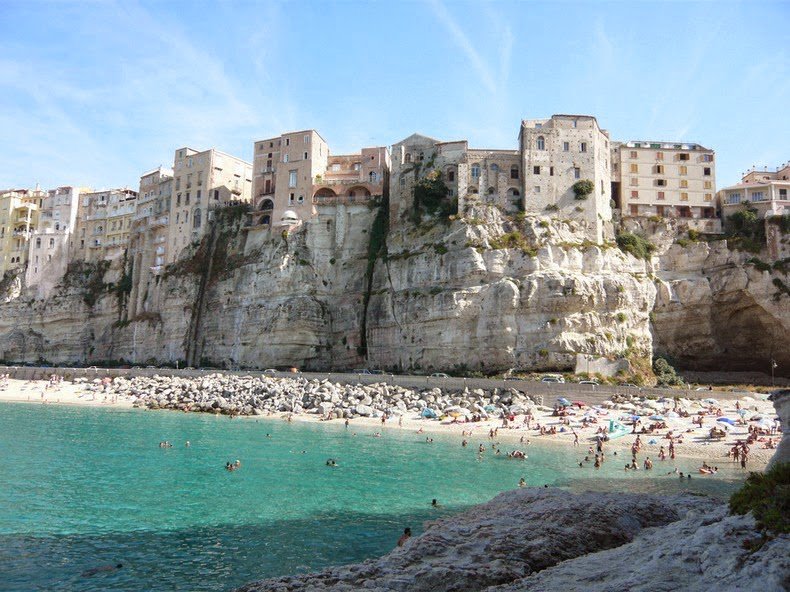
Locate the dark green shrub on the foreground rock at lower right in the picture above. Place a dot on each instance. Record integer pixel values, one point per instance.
(767, 497)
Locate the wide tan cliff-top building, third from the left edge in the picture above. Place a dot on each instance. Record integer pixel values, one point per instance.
(104, 224)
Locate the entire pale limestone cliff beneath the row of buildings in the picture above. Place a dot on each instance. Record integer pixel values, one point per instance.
(483, 291)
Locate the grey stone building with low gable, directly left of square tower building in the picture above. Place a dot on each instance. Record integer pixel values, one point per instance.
(471, 175)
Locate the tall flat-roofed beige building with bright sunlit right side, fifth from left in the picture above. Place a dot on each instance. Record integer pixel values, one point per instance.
(202, 181)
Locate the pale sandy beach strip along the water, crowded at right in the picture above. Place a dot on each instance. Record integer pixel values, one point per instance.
(695, 441)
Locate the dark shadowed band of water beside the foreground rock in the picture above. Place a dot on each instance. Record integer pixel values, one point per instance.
(202, 558)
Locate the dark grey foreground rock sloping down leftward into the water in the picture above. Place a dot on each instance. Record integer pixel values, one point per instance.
(514, 535)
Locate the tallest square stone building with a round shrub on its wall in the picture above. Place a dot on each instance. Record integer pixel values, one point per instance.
(556, 154)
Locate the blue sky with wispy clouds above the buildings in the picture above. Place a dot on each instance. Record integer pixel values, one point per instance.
(97, 93)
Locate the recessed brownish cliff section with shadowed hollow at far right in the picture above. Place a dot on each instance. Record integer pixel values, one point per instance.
(715, 311)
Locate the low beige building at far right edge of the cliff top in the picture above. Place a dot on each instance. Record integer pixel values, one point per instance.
(765, 190)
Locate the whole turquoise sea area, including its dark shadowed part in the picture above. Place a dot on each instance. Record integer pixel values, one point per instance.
(82, 487)
